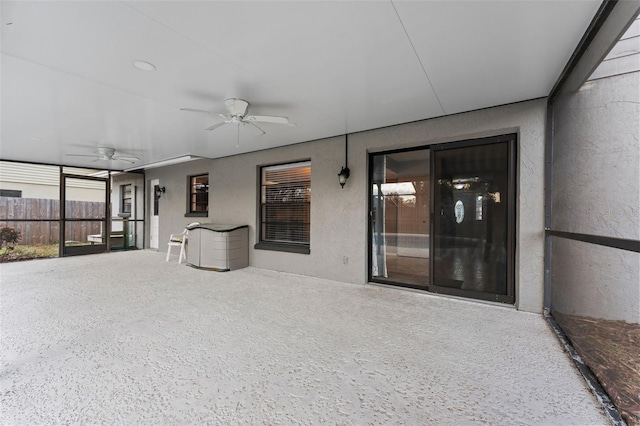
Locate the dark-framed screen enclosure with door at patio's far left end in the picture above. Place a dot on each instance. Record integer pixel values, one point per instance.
(61, 210)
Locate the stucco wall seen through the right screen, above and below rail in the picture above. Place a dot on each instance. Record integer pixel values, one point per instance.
(596, 190)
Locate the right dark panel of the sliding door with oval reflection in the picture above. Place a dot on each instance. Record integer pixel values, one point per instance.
(473, 219)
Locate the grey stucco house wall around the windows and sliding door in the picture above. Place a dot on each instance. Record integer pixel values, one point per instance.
(339, 217)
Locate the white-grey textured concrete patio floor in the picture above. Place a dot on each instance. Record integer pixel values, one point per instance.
(125, 338)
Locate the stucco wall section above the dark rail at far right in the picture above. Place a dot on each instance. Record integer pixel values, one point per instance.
(596, 159)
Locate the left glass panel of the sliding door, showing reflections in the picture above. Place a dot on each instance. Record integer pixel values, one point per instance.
(399, 218)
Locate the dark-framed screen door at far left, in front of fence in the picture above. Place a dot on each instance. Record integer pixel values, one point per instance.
(84, 215)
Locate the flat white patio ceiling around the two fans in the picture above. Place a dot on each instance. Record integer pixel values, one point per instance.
(333, 67)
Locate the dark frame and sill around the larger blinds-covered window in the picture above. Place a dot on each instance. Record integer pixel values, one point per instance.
(284, 246)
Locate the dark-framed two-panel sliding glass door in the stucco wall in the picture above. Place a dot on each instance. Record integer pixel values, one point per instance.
(442, 218)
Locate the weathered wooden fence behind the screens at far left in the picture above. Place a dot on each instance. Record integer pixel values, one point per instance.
(38, 219)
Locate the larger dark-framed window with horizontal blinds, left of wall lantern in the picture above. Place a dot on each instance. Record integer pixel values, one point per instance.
(285, 207)
